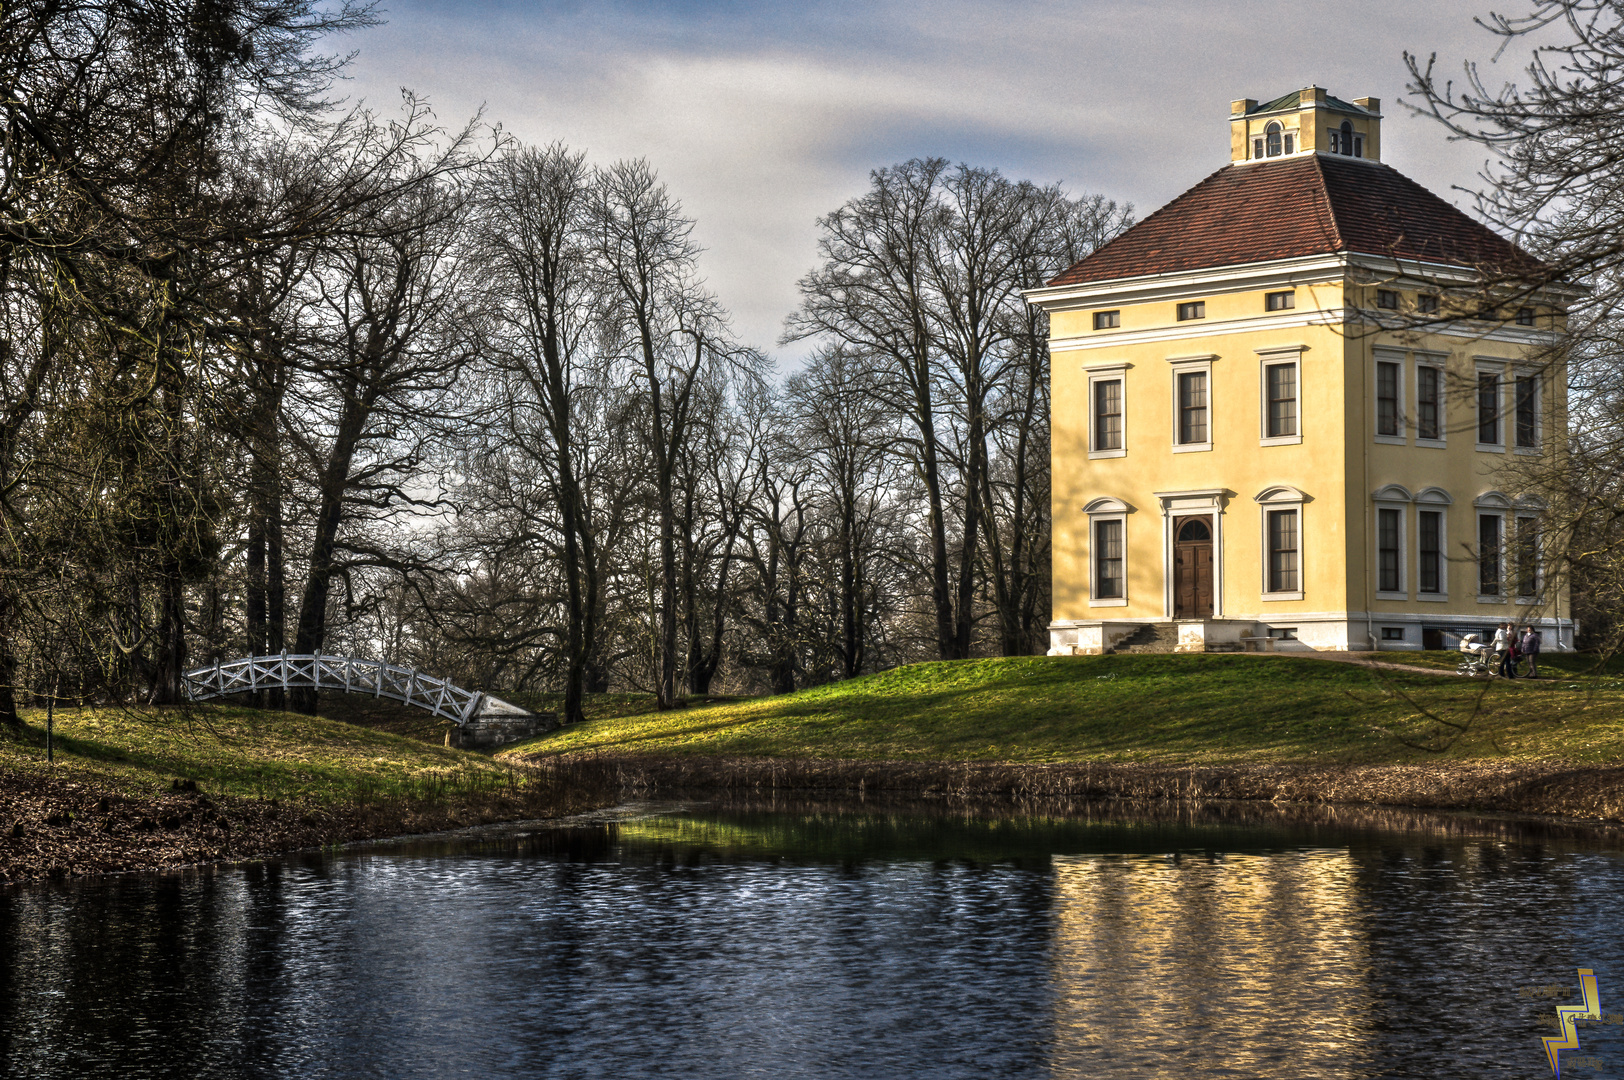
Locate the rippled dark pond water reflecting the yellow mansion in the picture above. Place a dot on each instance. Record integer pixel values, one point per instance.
(735, 941)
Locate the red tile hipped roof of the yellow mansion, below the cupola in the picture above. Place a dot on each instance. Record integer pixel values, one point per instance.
(1310, 205)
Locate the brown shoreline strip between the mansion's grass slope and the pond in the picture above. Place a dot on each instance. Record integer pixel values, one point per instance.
(1560, 790)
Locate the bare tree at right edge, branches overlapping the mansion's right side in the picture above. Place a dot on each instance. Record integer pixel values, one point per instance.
(1555, 181)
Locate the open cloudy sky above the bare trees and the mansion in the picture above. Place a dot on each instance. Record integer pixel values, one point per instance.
(764, 116)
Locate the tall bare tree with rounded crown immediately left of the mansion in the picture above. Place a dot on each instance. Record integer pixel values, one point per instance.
(923, 279)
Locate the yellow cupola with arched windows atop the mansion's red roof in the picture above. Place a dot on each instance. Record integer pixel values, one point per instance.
(1305, 123)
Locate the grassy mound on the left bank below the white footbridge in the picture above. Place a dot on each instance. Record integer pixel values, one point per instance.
(251, 753)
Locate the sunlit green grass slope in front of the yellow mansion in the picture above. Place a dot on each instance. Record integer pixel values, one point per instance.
(1134, 709)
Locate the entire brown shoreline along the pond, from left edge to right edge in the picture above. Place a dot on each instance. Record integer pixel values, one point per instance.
(63, 827)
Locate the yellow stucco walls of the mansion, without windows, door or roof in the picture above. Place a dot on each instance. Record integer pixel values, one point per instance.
(1337, 465)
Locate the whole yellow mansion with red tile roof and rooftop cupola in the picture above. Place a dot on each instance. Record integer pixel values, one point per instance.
(1268, 428)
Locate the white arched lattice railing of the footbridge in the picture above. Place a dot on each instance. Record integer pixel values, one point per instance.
(348, 675)
